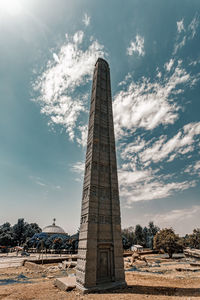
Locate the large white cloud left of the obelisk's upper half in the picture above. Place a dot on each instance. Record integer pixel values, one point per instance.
(71, 68)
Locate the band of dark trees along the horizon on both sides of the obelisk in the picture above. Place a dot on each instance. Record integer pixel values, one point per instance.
(30, 235)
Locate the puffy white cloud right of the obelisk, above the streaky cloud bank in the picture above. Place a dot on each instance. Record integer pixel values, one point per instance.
(147, 105)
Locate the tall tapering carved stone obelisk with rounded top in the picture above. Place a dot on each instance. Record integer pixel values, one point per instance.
(100, 257)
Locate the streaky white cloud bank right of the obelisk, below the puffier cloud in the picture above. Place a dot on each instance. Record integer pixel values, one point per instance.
(139, 182)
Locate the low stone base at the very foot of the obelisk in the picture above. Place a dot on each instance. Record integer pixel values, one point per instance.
(102, 287)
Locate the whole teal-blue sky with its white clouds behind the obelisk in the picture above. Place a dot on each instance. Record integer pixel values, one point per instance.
(48, 51)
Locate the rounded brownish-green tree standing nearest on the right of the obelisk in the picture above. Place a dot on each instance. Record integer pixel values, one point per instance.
(167, 240)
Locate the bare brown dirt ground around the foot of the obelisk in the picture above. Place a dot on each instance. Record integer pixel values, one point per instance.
(157, 280)
